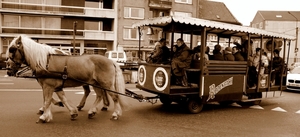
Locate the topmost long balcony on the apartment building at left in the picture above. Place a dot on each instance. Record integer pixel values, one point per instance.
(15, 7)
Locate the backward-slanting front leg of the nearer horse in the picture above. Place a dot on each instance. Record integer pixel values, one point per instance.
(71, 108)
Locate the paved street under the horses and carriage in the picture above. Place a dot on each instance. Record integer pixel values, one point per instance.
(21, 98)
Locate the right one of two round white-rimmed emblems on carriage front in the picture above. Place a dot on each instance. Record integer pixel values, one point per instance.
(160, 79)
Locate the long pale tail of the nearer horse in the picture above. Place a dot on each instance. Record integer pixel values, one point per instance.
(120, 85)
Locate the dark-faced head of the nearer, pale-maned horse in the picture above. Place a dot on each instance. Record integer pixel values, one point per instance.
(16, 52)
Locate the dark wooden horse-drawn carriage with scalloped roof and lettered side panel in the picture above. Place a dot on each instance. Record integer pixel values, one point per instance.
(210, 81)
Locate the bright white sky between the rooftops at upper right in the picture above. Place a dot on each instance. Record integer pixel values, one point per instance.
(245, 10)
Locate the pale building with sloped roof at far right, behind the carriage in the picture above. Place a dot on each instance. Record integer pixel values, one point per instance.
(282, 22)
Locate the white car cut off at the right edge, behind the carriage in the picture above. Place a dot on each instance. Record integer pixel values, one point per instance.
(293, 79)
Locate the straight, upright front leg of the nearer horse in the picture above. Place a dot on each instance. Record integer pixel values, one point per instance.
(47, 115)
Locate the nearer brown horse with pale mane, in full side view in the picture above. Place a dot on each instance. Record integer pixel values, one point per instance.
(95, 70)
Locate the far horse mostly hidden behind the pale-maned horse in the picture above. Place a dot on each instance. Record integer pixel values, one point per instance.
(13, 69)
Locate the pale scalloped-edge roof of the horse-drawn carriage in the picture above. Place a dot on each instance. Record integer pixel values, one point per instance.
(193, 25)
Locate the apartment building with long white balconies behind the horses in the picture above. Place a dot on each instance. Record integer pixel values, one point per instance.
(52, 22)
